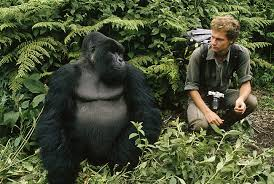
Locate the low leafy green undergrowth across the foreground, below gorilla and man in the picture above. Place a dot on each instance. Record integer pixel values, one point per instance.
(178, 157)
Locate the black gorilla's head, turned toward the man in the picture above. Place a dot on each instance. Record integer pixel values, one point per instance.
(106, 55)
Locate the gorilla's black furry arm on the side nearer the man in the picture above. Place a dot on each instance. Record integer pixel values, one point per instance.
(142, 105)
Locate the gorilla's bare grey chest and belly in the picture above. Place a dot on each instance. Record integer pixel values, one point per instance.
(100, 108)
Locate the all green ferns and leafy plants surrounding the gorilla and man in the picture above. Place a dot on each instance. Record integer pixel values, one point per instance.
(39, 36)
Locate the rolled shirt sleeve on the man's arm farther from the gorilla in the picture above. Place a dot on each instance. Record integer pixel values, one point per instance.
(244, 70)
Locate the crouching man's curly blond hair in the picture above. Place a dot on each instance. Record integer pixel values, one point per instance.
(228, 24)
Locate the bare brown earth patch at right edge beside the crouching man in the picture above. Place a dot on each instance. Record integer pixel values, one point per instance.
(262, 120)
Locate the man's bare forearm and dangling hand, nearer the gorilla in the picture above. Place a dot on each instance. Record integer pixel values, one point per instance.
(210, 116)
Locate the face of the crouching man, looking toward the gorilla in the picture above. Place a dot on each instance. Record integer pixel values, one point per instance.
(219, 41)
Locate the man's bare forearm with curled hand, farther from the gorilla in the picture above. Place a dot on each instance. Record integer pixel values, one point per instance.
(245, 90)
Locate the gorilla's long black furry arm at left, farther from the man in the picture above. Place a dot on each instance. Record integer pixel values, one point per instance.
(55, 118)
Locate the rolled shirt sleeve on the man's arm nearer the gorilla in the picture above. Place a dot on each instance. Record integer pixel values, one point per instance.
(193, 71)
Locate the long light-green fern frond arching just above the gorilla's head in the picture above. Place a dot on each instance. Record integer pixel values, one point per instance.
(115, 21)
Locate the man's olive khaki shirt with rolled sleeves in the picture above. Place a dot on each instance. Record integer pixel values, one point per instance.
(214, 75)
